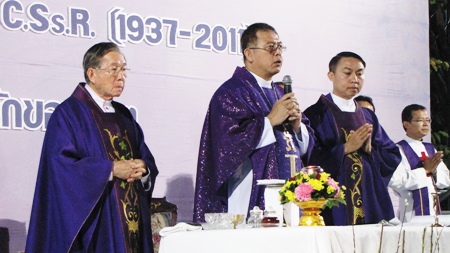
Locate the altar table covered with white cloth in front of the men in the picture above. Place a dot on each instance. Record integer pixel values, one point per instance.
(361, 238)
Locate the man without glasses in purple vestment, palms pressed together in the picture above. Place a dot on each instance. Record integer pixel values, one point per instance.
(351, 145)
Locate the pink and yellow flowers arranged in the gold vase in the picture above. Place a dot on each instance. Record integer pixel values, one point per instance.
(312, 183)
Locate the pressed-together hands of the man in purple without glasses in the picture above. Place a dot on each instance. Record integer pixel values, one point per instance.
(359, 139)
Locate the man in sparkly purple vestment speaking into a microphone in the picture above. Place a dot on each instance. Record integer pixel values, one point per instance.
(252, 131)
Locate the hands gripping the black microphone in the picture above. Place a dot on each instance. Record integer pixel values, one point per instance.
(286, 108)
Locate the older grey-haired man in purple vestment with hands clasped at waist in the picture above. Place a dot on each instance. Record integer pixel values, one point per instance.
(96, 173)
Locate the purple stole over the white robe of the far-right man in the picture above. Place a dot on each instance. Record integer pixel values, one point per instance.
(421, 197)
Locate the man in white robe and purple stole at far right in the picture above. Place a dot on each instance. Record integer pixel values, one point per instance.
(421, 172)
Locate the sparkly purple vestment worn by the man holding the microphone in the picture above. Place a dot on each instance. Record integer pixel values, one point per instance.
(231, 132)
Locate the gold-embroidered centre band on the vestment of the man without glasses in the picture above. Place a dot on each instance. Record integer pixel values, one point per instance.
(345, 122)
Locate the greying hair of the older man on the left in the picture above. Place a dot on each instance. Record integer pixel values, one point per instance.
(93, 57)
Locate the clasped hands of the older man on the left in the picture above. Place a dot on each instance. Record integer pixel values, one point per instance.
(129, 170)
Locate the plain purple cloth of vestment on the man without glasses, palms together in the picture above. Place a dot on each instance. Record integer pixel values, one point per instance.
(377, 168)
